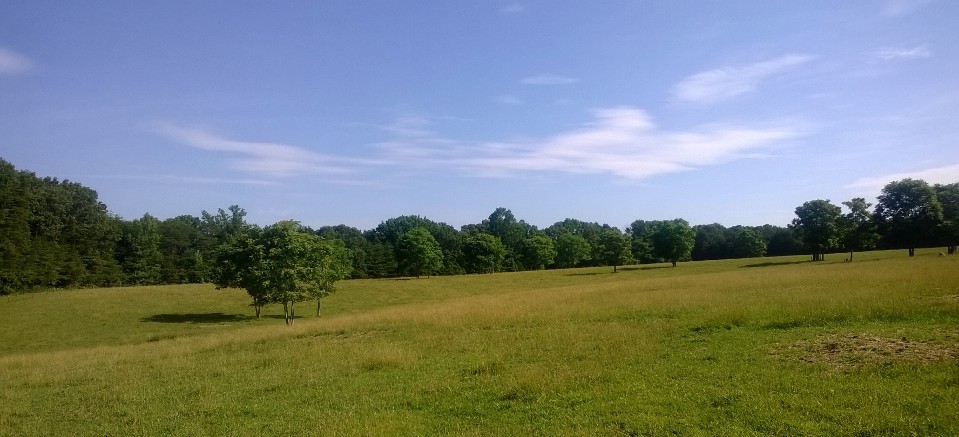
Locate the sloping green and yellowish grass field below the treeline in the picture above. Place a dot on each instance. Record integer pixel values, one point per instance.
(737, 347)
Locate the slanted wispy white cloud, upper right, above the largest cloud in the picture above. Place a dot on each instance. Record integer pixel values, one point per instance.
(728, 82)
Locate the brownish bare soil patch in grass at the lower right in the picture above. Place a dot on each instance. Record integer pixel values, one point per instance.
(857, 350)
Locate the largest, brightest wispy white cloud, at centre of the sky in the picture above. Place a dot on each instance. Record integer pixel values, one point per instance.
(620, 141)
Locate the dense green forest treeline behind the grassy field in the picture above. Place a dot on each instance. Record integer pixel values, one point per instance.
(57, 234)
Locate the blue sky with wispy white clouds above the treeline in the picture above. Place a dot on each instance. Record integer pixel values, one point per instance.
(354, 112)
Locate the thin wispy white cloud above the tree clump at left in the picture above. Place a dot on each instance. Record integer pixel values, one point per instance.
(266, 159)
